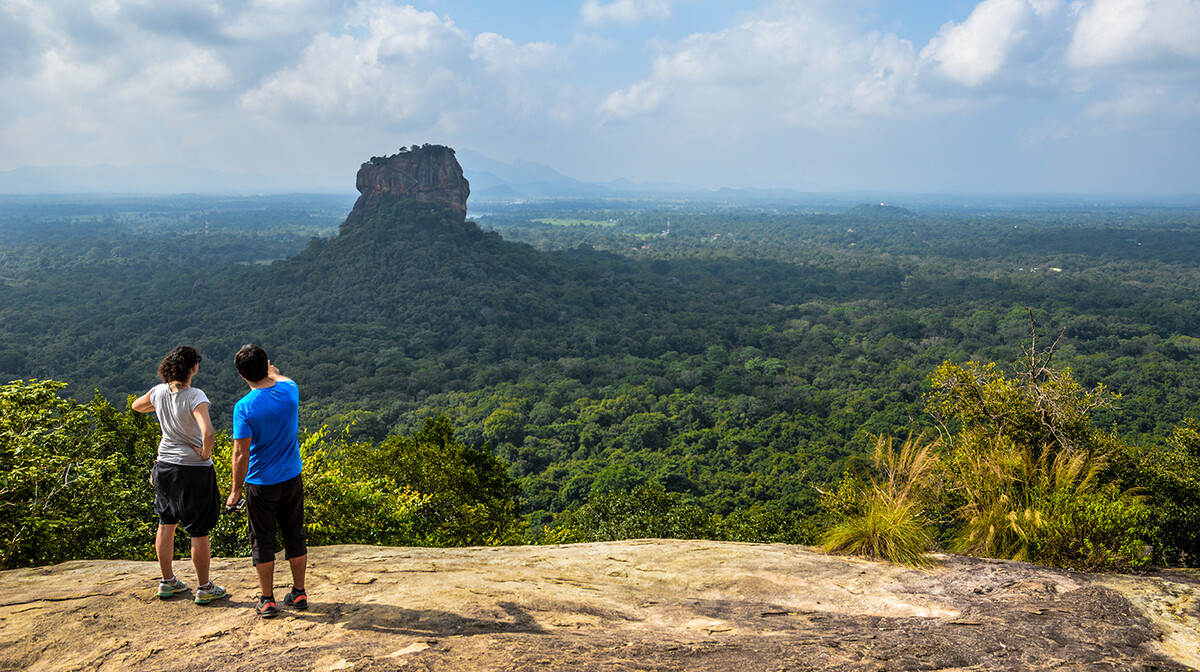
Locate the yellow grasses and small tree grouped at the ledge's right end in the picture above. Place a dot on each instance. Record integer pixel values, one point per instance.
(1024, 476)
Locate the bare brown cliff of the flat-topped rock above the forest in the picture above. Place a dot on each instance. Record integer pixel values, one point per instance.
(429, 173)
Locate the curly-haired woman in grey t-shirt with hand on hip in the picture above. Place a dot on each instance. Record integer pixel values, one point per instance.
(185, 483)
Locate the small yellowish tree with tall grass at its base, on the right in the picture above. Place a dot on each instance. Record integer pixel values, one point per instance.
(1027, 466)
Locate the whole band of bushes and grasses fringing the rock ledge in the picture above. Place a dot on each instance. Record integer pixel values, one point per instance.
(1021, 475)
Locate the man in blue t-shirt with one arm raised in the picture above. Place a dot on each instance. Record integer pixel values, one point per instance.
(267, 463)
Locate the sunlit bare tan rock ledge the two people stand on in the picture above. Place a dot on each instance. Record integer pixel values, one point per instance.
(633, 605)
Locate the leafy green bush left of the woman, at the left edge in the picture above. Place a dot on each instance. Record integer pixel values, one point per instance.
(74, 478)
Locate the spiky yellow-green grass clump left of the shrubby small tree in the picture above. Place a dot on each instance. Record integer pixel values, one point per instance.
(886, 514)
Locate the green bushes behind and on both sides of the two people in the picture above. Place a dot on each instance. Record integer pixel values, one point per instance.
(74, 485)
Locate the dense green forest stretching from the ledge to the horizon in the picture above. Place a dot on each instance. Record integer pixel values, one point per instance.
(728, 364)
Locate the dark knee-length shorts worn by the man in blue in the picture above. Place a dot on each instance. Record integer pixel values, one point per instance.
(271, 507)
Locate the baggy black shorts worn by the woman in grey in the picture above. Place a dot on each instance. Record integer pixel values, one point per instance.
(187, 495)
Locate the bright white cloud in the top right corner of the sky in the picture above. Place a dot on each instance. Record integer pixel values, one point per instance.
(1137, 33)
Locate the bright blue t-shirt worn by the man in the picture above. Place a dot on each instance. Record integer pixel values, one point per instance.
(271, 418)
